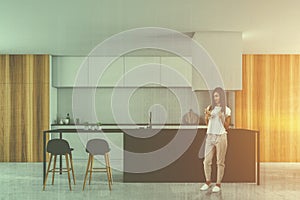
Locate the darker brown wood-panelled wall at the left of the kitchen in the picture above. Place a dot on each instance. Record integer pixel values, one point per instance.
(25, 106)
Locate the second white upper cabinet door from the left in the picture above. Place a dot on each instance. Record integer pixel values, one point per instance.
(106, 71)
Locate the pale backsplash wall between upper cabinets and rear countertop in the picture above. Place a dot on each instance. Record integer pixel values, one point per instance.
(167, 105)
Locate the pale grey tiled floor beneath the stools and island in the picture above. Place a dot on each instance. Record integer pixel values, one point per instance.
(23, 181)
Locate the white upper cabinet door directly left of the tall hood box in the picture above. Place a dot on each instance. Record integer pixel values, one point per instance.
(176, 72)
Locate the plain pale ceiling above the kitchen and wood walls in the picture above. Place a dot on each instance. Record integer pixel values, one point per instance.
(74, 27)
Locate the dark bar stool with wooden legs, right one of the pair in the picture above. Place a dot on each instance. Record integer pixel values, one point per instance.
(98, 147)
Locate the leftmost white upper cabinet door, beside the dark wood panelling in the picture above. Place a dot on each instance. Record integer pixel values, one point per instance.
(69, 72)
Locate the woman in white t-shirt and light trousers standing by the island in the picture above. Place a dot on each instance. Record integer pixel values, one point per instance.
(217, 118)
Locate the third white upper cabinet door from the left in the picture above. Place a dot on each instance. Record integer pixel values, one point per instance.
(142, 71)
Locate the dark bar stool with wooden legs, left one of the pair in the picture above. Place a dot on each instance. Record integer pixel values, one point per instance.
(59, 147)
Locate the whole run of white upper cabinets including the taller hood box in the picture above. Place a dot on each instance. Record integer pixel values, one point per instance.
(223, 58)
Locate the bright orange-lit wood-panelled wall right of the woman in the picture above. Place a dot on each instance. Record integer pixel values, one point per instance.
(270, 102)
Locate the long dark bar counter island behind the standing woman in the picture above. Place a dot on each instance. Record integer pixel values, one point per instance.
(174, 154)
